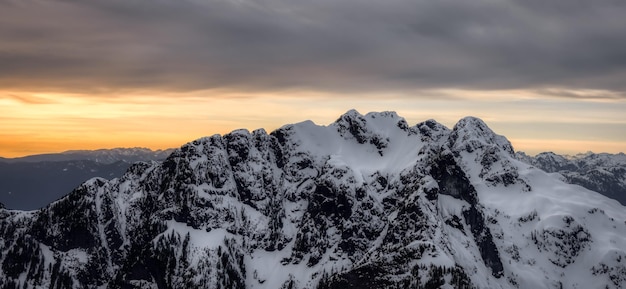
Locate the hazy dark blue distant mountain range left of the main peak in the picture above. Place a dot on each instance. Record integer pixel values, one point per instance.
(31, 182)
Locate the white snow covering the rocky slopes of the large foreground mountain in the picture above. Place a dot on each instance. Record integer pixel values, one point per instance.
(523, 220)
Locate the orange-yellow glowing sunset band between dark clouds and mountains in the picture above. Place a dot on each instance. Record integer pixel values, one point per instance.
(41, 123)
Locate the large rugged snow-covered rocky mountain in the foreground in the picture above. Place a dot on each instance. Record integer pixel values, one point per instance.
(365, 202)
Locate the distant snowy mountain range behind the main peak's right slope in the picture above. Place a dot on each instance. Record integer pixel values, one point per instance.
(604, 173)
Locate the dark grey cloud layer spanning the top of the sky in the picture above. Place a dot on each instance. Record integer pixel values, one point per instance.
(350, 45)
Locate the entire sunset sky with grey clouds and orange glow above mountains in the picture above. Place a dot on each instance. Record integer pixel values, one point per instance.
(549, 75)
